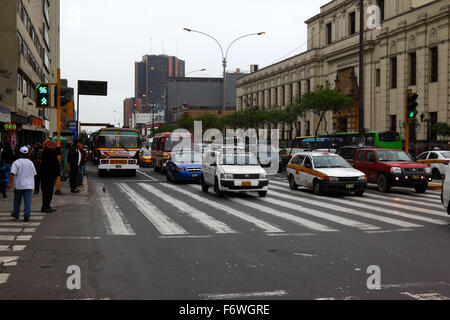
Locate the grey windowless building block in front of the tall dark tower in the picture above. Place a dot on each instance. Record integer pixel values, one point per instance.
(194, 97)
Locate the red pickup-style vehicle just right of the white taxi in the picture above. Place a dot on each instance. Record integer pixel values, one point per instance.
(389, 168)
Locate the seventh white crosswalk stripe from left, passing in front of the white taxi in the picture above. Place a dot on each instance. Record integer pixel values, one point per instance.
(327, 205)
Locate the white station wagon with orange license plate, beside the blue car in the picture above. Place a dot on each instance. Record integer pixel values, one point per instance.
(231, 171)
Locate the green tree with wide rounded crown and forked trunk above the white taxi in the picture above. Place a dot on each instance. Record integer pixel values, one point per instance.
(322, 100)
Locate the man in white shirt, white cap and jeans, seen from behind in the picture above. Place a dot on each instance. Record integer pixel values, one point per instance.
(22, 178)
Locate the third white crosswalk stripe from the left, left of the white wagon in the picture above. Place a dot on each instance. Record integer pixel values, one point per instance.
(199, 216)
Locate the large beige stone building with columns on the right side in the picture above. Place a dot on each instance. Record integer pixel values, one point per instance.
(406, 47)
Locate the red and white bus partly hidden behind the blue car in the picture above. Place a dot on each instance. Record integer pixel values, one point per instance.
(162, 147)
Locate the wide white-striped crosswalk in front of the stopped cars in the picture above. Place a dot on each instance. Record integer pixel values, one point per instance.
(171, 210)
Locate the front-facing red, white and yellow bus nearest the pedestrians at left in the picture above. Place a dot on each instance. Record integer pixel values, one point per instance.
(116, 150)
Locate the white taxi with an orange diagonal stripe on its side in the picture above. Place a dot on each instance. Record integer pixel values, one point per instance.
(324, 172)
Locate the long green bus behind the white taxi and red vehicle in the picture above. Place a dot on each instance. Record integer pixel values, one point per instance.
(383, 140)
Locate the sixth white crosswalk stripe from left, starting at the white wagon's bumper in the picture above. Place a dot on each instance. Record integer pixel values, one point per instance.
(318, 214)
